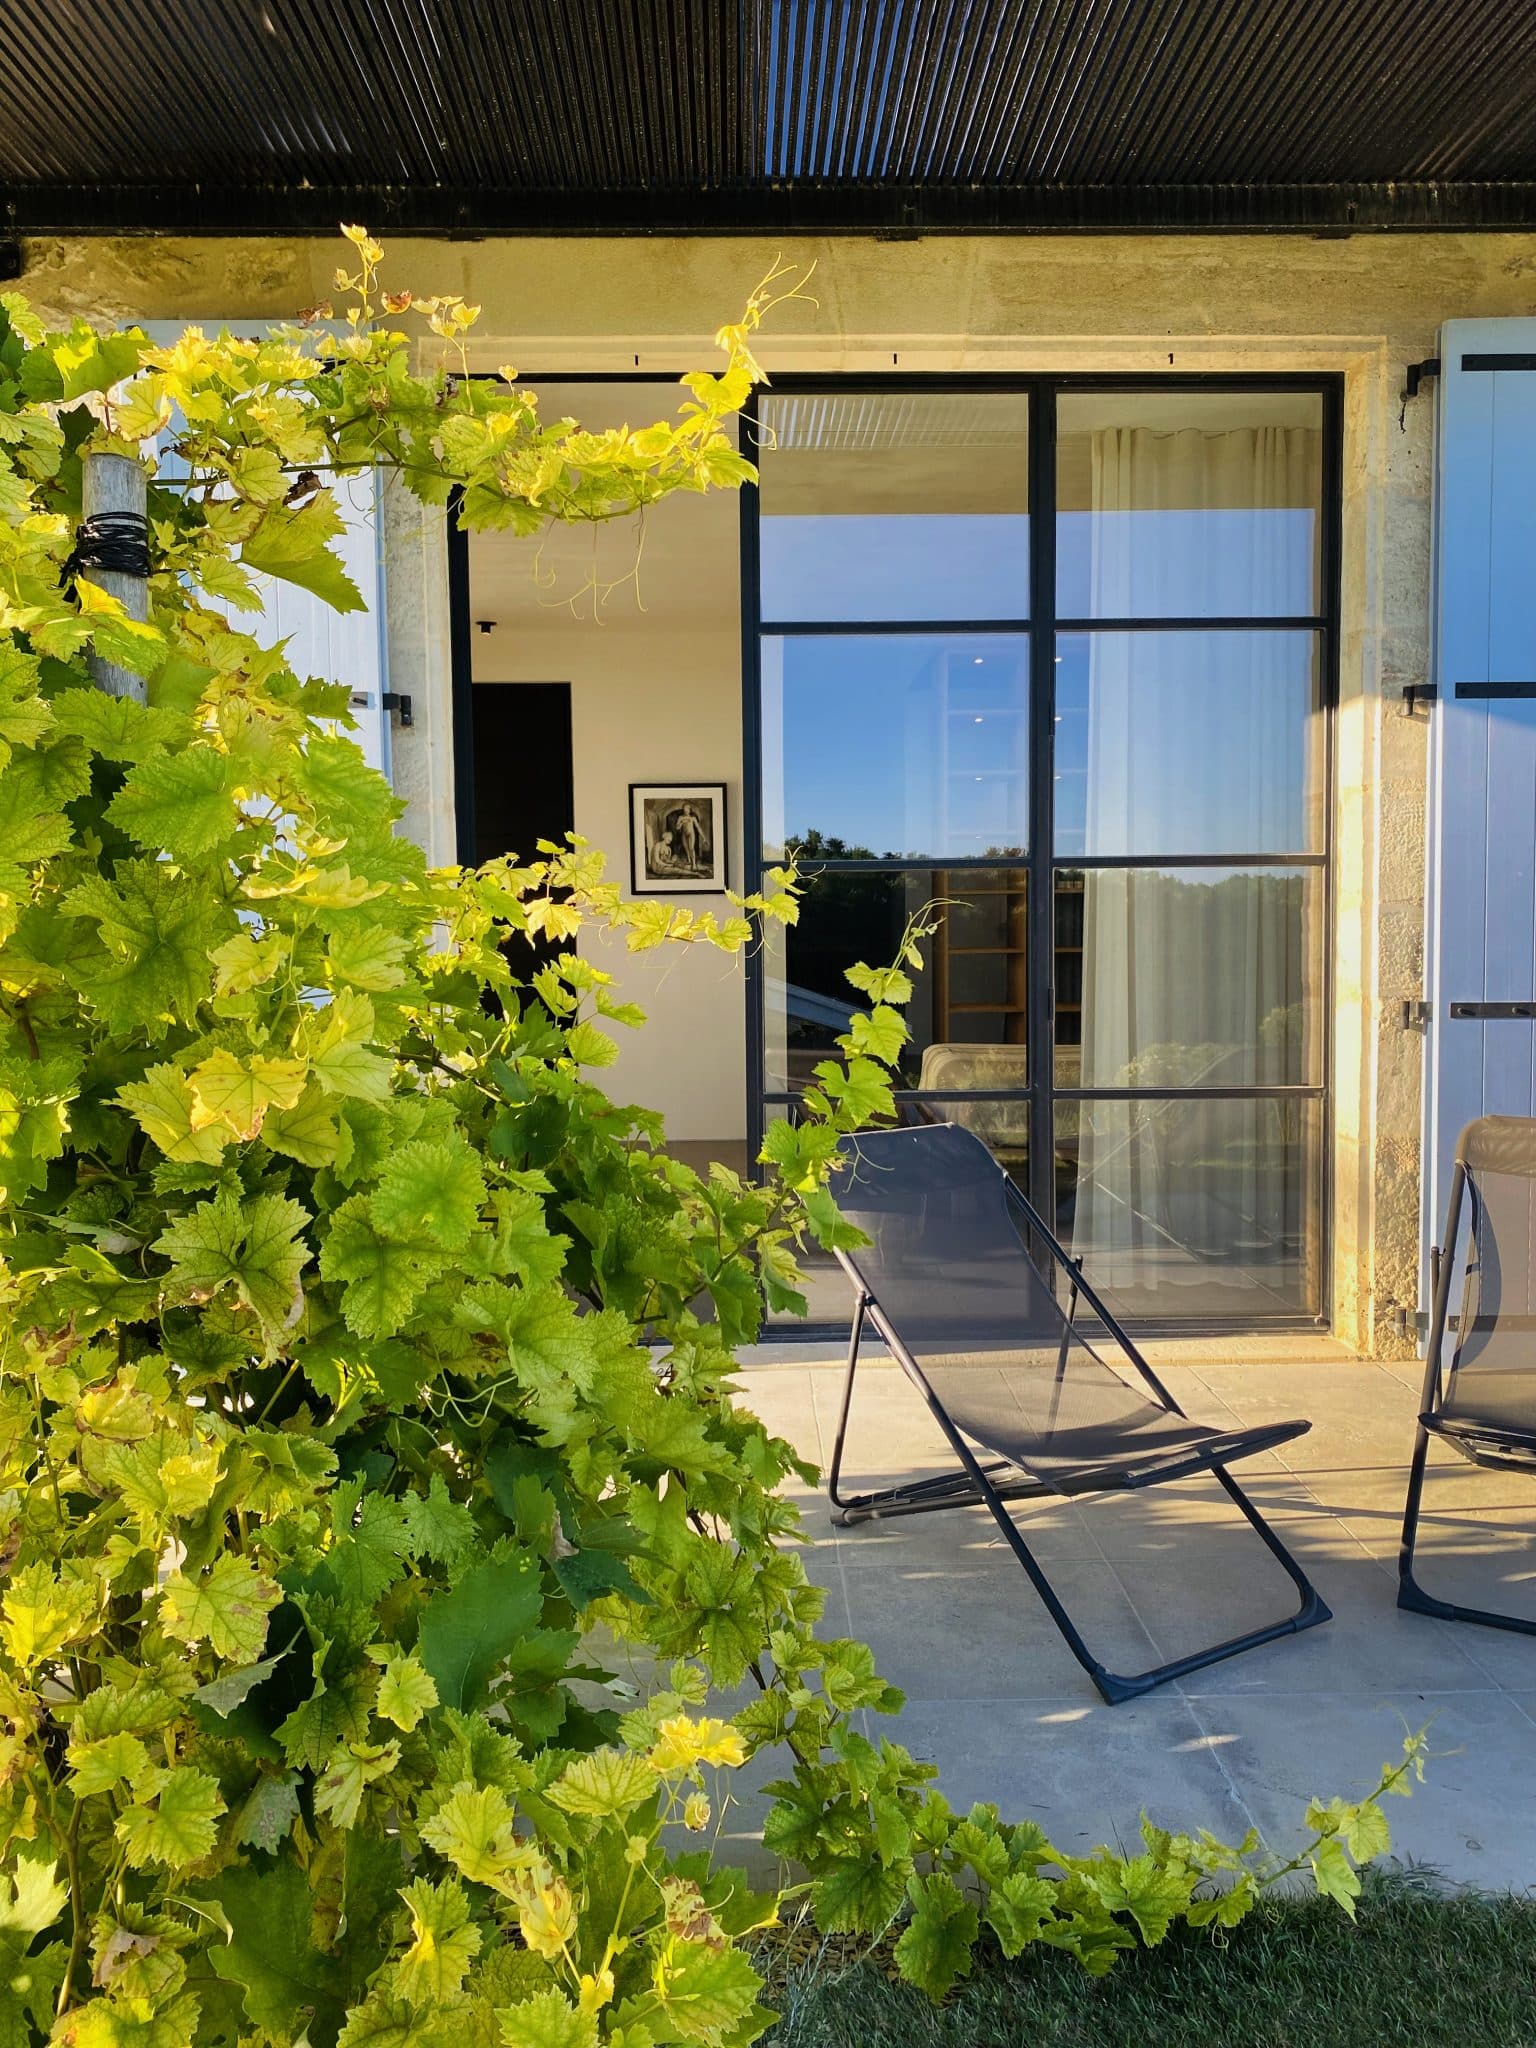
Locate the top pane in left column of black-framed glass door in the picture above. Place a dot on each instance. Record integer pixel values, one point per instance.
(894, 507)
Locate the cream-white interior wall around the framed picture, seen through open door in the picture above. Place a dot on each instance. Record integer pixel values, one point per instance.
(656, 695)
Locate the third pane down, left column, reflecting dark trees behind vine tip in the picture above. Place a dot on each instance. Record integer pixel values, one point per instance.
(970, 1007)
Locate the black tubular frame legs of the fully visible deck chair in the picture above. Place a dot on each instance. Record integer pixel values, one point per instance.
(978, 1490)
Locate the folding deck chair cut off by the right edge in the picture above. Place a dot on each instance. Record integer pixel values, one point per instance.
(1482, 1404)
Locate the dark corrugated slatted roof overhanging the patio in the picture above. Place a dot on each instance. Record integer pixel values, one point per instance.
(714, 116)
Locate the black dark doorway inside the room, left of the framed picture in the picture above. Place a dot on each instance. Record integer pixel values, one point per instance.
(523, 767)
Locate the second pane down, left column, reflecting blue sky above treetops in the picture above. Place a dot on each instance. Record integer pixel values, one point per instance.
(898, 746)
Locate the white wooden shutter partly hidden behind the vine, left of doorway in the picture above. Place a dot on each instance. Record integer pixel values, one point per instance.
(339, 646)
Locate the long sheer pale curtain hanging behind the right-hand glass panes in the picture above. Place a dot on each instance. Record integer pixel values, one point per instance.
(1195, 744)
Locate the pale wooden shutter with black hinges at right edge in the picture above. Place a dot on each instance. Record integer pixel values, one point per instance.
(1482, 867)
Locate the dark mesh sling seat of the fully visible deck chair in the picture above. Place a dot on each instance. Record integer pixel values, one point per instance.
(980, 1320)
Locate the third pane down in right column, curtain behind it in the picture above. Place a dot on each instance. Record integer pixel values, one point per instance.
(1199, 978)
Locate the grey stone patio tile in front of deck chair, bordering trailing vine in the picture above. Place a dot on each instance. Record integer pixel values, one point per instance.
(1084, 1773)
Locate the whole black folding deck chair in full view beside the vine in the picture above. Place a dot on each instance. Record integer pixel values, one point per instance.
(1025, 1400)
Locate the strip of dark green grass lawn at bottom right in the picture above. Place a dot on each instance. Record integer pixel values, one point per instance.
(1416, 1969)
